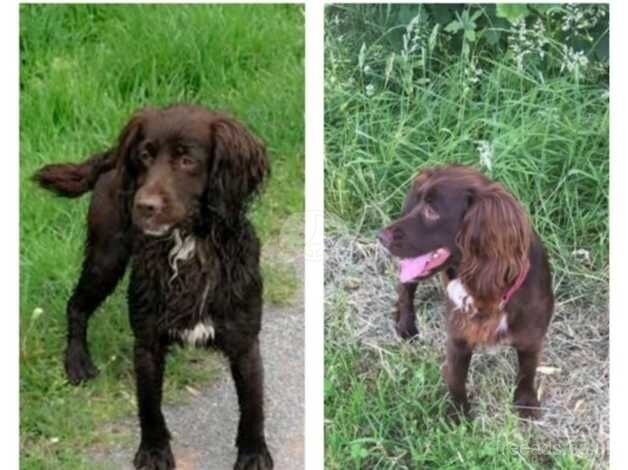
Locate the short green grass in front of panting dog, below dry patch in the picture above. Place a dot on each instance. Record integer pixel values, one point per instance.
(388, 411)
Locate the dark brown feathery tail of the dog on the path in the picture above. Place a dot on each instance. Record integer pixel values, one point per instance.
(74, 179)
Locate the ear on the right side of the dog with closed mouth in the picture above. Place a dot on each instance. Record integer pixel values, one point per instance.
(238, 166)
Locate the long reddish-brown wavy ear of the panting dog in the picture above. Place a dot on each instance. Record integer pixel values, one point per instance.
(494, 239)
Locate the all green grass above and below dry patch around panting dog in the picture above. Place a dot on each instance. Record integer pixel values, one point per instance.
(385, 120)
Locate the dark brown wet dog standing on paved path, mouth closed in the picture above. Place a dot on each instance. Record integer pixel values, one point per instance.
(172, 196)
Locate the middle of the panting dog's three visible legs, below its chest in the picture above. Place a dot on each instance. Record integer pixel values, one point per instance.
(455, 372)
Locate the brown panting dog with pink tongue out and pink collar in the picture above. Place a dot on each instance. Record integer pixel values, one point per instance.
(495, 269)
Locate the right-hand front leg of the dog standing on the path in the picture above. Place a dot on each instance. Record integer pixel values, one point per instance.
(248, 376)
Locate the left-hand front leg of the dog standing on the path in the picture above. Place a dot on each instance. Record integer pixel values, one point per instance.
(154, 452)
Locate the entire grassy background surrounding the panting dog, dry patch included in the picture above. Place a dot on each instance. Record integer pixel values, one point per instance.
(521, 92)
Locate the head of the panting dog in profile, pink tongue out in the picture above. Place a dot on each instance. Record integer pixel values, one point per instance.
(455, 216)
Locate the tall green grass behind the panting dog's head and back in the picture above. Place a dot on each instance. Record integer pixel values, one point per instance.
(545, 137)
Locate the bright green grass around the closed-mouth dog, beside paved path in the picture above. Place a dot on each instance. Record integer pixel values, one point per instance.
(84, 70)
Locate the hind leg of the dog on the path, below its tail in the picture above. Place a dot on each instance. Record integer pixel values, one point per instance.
(106, 256)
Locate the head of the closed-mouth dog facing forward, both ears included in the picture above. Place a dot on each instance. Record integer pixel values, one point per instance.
(186, 167)
